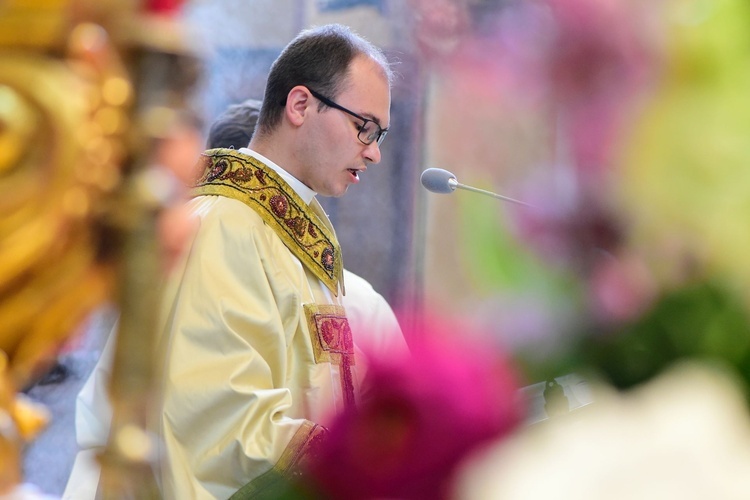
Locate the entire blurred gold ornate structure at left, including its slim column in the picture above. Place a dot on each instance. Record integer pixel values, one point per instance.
(75, 133)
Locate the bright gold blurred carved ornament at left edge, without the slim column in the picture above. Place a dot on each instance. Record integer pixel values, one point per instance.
(63, 124)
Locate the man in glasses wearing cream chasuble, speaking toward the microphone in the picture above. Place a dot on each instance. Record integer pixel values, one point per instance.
(258, 346)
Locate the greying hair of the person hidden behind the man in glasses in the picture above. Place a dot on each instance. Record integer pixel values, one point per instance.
(234, 127)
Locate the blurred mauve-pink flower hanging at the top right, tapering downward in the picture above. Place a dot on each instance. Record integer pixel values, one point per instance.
(597, 59)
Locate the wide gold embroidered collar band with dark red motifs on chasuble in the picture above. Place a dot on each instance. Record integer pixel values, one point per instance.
(226, 172)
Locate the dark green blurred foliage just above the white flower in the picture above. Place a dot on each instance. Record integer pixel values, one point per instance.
(703, 321)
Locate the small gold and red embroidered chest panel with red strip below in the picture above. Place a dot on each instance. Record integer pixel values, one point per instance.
(332, 342)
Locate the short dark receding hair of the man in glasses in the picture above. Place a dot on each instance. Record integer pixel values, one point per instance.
(318, 58)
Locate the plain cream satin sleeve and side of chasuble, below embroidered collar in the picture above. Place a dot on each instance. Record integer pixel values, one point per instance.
(230, 321)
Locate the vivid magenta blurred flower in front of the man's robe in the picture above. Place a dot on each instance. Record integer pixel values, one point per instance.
(419, 417)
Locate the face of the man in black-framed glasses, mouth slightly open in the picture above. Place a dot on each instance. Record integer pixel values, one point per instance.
(335, 157)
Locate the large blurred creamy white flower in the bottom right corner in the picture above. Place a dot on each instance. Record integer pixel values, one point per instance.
(683, 435)
